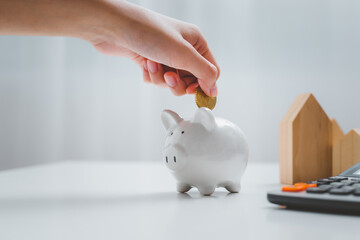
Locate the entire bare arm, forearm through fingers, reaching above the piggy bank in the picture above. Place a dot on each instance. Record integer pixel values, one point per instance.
(170, 52)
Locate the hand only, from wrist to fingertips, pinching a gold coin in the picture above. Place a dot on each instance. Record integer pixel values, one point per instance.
(170, 53)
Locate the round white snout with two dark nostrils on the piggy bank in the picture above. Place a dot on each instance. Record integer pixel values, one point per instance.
(174, 157)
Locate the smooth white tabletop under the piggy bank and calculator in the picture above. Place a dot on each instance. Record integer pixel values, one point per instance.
(117, 200)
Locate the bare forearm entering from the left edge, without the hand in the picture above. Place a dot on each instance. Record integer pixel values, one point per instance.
(74, 18)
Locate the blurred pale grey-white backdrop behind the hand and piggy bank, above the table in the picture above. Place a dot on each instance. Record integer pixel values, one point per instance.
(60, 99)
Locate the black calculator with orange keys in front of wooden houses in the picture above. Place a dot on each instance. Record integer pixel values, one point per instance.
(335, 194)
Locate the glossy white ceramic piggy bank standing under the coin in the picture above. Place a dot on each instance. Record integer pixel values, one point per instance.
(205, 152)
